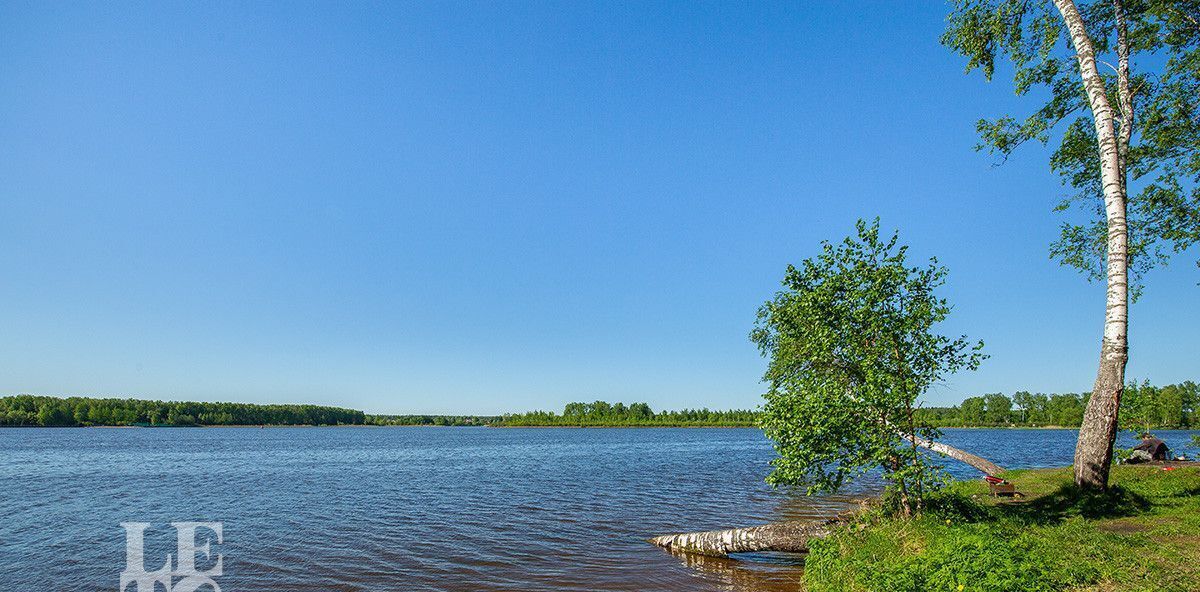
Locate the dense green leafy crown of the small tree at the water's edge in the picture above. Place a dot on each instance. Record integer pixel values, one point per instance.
(851, 344)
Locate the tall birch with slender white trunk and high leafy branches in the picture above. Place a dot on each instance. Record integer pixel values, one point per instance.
(1121, 88)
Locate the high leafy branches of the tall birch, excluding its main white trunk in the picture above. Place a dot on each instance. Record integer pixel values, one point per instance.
(1160, 116)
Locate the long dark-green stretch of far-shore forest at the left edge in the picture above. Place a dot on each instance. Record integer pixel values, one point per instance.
(77, 411)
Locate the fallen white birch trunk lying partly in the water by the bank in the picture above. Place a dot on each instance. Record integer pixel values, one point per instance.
(793, 537)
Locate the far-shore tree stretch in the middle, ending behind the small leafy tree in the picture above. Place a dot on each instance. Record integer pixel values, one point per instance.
(603, 414)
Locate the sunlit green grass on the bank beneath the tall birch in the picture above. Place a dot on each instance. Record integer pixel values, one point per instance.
(1142, 536)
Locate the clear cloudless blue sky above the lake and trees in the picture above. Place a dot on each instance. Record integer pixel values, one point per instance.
(466, 207)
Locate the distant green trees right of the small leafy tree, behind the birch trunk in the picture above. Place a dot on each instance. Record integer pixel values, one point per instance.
(1143, 408)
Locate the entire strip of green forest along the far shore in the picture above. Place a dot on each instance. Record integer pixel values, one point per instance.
(1143, 408)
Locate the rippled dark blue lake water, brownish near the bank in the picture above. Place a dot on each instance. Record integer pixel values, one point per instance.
(413, 510)
